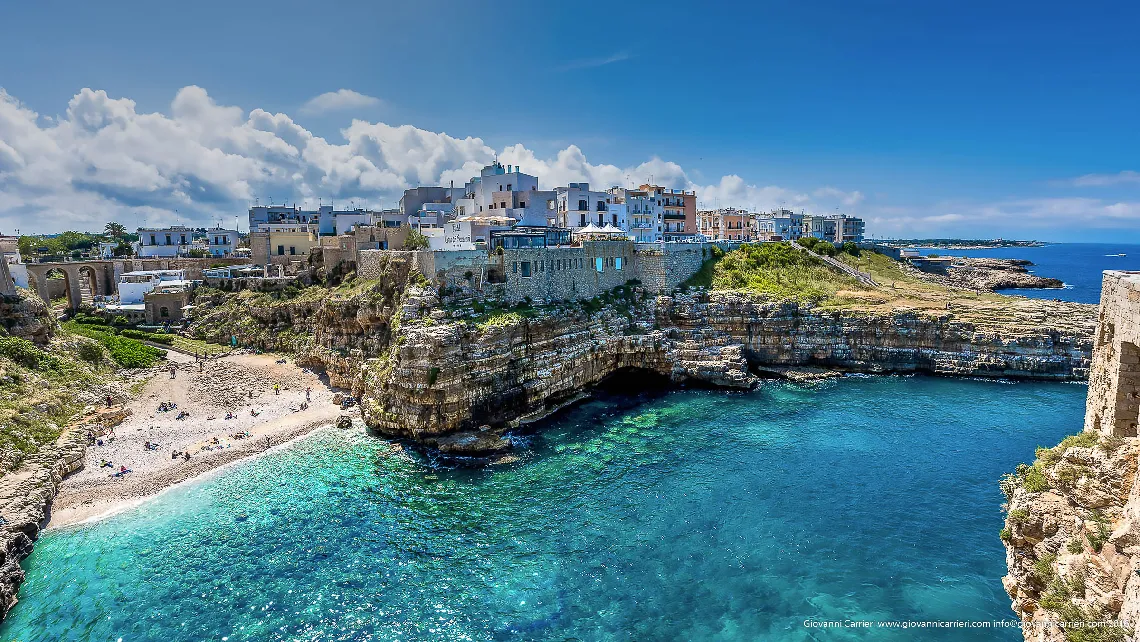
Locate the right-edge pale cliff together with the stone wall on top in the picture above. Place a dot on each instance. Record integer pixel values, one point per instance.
(1073, 525)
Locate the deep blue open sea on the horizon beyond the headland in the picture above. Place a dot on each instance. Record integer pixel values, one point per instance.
(1079, 265)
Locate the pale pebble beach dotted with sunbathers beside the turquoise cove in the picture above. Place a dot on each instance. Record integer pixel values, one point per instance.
(237, 385)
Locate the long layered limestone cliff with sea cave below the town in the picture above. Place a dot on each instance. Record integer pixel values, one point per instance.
(457, 377)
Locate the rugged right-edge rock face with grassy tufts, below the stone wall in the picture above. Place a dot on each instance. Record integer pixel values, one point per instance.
(1072, 537)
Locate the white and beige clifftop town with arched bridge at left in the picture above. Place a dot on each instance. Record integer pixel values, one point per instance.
(500, 235)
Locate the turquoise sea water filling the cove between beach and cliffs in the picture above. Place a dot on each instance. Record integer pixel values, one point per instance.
(691, 516)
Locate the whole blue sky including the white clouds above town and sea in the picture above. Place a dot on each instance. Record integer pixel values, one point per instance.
(927, 119)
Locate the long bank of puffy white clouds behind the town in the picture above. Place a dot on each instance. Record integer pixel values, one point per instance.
(203, 162)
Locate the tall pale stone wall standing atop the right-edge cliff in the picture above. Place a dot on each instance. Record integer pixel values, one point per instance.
(1113, 405)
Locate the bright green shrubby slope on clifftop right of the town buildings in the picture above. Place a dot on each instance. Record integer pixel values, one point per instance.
(780, 271)
